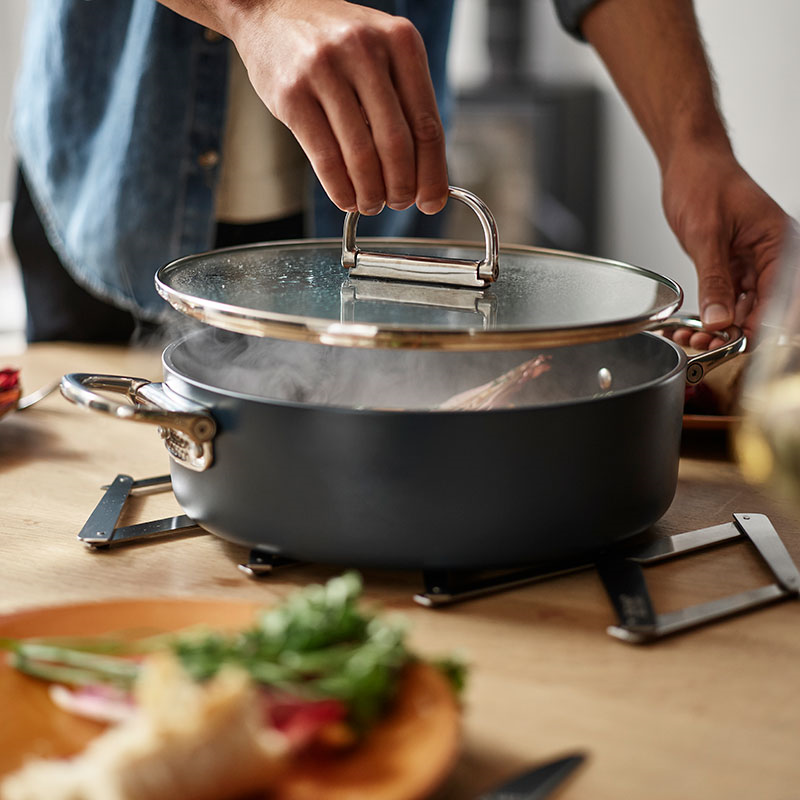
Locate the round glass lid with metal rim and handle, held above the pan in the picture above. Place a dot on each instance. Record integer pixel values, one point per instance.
(418, 292)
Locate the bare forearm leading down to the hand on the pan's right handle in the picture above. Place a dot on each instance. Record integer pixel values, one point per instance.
(653, 51)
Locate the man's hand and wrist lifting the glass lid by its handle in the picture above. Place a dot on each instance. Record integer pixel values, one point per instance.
(353, 86)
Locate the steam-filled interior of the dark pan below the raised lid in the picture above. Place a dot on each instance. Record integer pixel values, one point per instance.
(401, 379)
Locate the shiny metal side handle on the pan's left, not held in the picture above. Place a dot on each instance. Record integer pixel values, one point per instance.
(188, 429)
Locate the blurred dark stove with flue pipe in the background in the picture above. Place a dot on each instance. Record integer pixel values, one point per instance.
(529, 147)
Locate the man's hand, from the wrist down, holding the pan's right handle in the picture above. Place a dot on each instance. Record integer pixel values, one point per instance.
(731, 229)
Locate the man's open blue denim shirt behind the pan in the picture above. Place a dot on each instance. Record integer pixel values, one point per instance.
(118, 120)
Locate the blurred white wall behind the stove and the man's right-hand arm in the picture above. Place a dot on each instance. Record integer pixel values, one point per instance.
(753, 49)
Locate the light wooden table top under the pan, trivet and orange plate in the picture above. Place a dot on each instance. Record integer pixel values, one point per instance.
(713, 713)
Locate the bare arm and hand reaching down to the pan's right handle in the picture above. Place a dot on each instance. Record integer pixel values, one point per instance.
(727, 224)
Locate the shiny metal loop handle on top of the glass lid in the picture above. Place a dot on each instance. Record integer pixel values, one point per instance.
(426, 269)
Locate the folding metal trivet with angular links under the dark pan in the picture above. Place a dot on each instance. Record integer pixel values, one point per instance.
(620, 569)
